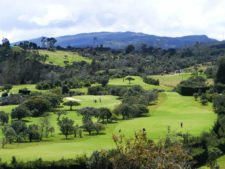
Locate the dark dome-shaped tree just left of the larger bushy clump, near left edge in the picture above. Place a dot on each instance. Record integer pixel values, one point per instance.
(20, 112)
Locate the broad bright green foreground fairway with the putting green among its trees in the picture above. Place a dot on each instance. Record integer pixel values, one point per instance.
(171, 110)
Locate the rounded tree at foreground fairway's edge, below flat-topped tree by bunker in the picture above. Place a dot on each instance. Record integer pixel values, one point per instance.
(66, 126)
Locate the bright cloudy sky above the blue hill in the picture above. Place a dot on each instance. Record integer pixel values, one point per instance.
(27, 19)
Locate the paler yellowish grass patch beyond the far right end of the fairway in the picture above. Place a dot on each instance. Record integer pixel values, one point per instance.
(171, 80)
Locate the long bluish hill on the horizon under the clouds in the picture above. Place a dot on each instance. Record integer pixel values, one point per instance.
(119, 40)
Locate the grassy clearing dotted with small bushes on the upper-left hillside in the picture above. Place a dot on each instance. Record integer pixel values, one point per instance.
(60, 57)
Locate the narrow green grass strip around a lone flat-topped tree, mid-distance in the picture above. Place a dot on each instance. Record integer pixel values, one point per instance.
(138, 81)
